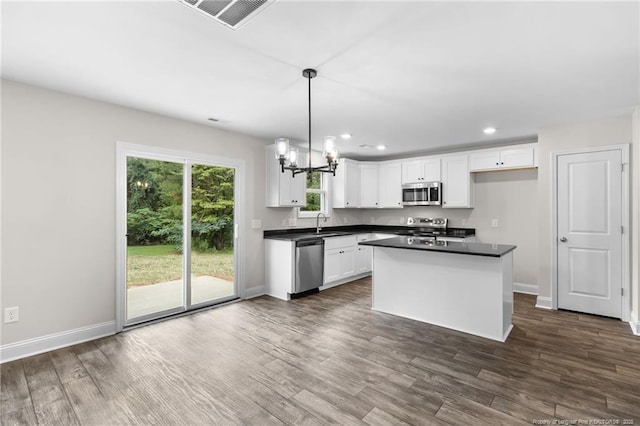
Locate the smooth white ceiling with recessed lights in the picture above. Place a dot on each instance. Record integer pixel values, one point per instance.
(415, 76)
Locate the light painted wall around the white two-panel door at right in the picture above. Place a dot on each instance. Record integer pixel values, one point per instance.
(610, 131)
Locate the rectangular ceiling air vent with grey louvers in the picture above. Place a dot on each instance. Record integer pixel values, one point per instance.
(231, 13)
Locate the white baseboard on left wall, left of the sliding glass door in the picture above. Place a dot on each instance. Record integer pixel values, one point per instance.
(38, 345)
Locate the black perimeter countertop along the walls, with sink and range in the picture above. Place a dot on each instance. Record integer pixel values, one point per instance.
(297, 234)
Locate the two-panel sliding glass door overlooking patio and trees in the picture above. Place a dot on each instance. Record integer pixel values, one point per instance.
(180, 236)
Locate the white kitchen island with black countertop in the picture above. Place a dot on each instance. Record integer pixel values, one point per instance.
(463, 286)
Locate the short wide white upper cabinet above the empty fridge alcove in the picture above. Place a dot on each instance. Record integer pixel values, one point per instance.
(503, 158)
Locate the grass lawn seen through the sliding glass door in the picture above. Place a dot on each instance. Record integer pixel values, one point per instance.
(161, 263)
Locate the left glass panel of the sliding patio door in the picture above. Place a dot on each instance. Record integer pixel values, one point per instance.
(155, 257)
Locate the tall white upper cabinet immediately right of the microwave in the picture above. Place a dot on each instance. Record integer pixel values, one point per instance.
(456, 182)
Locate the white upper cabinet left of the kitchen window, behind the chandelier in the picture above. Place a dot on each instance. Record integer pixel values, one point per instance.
(282, 189)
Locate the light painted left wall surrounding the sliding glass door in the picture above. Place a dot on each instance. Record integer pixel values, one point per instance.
(58, 203)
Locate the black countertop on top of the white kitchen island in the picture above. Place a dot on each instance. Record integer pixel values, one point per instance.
(428, 244)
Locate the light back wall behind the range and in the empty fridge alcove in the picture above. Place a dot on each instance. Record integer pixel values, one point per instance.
(510, 197)
